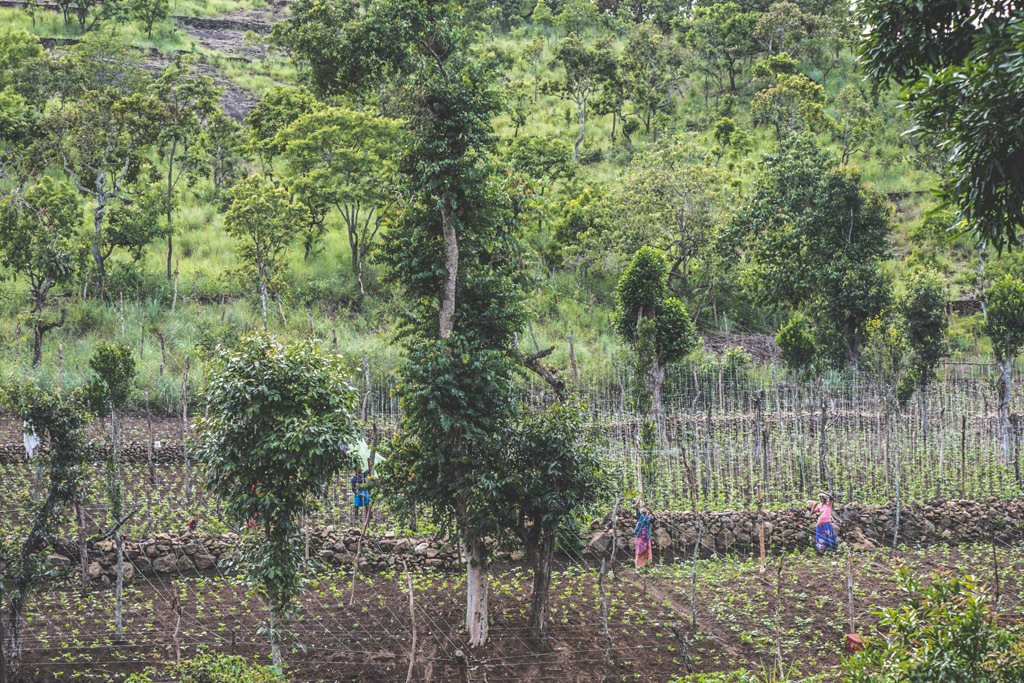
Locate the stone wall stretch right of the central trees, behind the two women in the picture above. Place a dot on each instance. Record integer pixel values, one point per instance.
(861, 527)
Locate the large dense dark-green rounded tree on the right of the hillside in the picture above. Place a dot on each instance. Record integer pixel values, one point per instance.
(813, 236)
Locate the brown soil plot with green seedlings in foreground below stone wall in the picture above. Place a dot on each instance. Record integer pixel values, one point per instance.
(631, 627)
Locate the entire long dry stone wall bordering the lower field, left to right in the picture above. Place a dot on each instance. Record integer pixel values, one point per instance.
(674, 534)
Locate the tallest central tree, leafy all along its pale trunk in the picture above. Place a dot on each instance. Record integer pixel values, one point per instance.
(453, 249)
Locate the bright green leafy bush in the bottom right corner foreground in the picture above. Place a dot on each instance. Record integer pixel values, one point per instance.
(944, 633)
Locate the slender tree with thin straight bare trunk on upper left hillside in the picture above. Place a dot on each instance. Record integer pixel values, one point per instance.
(187, 101)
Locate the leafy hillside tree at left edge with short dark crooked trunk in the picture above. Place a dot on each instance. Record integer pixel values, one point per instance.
(41, 239)
